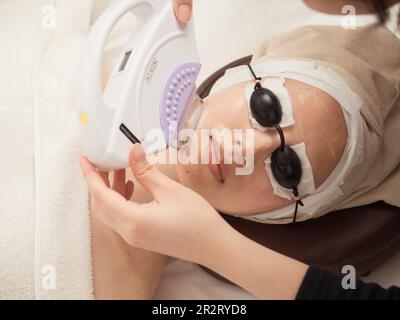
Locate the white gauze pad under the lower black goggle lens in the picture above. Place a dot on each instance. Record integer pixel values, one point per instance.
(307, 184)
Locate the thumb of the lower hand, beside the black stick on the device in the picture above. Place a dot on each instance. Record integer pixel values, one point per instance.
(148, 176)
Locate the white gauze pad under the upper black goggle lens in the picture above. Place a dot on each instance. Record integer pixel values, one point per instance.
(276, 85)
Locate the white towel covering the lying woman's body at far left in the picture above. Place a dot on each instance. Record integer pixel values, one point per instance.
(44, 220)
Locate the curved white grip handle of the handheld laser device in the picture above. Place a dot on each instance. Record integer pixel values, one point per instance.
(93, 52)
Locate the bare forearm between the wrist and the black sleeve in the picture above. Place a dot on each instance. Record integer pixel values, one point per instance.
(263, 272)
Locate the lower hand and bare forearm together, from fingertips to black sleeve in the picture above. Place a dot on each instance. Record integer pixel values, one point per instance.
(180, 223)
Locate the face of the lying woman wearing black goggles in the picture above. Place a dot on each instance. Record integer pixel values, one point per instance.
(319, 124)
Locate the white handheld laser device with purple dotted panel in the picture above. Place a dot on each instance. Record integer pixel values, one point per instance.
(150, 88)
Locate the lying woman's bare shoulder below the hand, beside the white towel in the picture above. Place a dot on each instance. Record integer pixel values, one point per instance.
(120, 271)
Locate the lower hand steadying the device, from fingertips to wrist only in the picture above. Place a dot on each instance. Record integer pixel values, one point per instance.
(178, 222)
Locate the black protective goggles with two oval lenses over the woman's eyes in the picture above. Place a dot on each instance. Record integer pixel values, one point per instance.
(267, 111)
